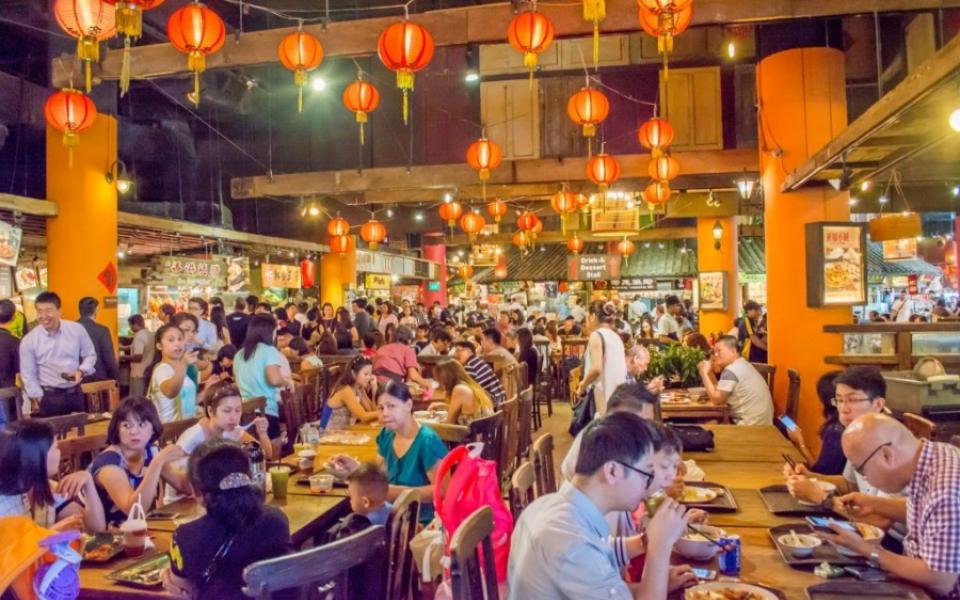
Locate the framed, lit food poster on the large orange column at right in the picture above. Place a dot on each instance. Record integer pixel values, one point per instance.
(836, 264)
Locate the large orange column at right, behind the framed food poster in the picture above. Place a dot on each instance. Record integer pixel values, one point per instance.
(802, 99)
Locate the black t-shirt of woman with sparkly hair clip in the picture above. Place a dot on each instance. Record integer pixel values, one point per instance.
(196, 543)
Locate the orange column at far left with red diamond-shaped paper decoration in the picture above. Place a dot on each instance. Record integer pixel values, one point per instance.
(82, 238)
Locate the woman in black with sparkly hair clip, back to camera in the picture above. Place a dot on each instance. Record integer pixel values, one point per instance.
(208, 555)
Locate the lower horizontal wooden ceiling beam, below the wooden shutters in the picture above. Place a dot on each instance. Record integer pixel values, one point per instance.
(522, 177)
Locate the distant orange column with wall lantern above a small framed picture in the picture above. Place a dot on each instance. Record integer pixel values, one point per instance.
(710, 258)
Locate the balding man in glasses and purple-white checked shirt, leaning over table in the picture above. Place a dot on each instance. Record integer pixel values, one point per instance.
(891, 458)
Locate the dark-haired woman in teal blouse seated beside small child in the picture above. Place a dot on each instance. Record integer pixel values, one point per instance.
(411, 452)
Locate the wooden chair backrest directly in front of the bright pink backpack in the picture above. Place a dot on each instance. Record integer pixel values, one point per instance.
(470, 580)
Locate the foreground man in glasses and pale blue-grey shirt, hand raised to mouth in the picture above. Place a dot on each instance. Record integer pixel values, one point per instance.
(560, 547)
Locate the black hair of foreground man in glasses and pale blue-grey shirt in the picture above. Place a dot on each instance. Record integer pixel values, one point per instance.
(619, 436)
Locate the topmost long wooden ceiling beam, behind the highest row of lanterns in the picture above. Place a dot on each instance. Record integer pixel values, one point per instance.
(484, 23)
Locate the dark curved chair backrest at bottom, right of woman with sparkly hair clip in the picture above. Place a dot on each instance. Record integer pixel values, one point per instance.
(355, 562)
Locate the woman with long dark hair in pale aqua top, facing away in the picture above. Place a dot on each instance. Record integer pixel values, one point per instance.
(260, 370)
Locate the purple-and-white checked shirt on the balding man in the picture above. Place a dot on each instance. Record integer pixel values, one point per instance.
(933, 511)
